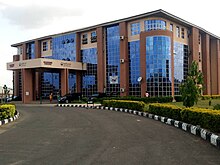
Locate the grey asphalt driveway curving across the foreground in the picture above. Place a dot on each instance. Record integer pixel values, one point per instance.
(58, 135)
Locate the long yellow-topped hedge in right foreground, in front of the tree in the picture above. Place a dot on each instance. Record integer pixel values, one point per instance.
(209, 119)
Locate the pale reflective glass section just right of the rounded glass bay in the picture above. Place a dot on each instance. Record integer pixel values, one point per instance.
(180, 65)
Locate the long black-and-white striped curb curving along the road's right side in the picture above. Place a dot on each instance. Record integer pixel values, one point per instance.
(195, 130)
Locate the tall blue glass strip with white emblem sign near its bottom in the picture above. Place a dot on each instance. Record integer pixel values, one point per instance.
(113, 60)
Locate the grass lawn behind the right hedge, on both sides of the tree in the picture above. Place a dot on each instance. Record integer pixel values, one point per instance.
(200, 104)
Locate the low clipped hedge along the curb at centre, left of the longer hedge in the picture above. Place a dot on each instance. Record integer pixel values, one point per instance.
(127, 104)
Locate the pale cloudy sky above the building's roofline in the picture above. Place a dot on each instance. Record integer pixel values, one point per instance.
(21, 20)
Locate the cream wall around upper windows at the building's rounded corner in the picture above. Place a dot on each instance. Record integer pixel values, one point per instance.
(168, 22)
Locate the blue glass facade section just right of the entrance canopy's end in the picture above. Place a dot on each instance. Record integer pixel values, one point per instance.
(89, 78)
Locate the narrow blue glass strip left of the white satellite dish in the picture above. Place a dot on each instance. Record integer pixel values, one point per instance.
(134, 68)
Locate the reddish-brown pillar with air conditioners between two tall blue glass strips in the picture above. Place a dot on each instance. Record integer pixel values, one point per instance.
(124, 64)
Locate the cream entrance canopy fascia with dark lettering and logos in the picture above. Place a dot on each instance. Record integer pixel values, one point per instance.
(45, 63)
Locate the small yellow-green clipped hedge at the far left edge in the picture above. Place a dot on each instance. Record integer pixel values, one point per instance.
(7, 111)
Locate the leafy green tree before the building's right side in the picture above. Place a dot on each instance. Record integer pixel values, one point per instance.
(191, 89)
